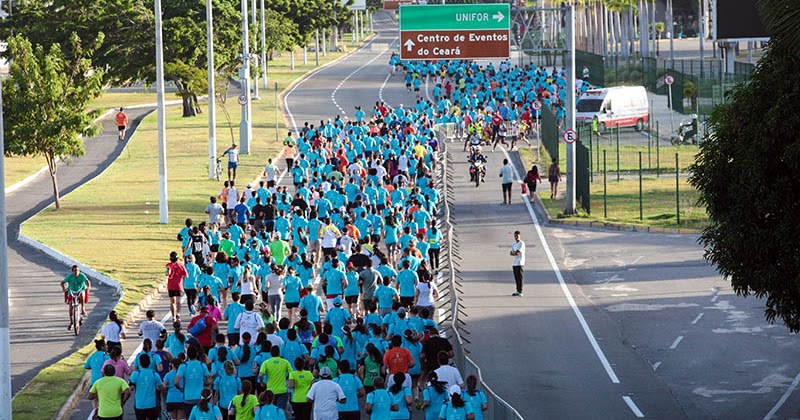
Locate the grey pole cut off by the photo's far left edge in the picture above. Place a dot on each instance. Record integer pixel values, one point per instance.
(5, 335)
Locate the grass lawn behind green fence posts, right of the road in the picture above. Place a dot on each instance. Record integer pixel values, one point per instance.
(659, 207)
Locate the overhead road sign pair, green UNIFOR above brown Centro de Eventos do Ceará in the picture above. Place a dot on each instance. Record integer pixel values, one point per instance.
(464, 31)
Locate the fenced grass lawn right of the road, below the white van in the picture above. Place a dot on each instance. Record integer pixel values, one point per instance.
(659, 206)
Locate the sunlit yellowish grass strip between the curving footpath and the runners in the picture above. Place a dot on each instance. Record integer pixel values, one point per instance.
(111, 223)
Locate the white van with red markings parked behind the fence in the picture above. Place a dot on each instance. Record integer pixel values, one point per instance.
(623, 106)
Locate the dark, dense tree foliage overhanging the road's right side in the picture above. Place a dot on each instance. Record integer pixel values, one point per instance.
(748, 175)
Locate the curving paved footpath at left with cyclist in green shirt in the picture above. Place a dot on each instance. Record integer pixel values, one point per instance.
(40, 337)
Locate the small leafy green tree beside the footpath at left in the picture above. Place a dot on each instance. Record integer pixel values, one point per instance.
(46, 98)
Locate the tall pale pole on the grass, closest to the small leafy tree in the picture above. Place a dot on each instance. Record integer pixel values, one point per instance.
(163, 209)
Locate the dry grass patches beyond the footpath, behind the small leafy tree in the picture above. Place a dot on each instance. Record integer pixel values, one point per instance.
(20, 167)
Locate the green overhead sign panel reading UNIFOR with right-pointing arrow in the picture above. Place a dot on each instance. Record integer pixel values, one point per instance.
(455, 17)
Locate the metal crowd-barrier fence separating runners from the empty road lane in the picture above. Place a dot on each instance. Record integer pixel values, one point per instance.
(499, 409)
